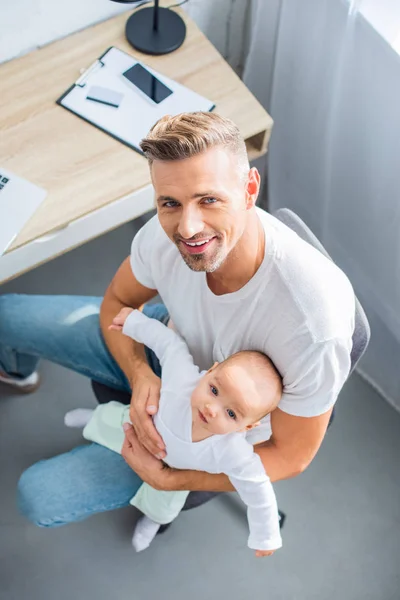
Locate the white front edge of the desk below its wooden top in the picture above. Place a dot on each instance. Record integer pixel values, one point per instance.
(78, 232)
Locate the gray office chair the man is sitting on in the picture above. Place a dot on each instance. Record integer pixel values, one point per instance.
(361, 338)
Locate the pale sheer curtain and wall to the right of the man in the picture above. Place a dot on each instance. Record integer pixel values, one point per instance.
(332, 86)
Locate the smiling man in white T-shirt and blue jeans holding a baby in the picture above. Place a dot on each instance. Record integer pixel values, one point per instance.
(231, 278)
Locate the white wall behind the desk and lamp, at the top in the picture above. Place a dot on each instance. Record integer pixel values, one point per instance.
(27, 24)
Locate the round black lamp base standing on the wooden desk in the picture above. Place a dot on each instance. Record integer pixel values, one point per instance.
(169, 35)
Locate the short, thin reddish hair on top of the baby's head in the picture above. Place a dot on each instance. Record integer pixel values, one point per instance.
(263, 371)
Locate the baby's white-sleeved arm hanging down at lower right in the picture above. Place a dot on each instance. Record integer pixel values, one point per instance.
(254, 487)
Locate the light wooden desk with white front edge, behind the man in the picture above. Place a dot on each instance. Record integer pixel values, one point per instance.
(94, 182)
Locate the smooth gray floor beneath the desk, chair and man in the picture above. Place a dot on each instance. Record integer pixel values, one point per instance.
(341, 541)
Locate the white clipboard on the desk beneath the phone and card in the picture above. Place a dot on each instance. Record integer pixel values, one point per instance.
(135, 115)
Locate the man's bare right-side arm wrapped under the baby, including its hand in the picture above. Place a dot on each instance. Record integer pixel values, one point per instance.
(293, 445)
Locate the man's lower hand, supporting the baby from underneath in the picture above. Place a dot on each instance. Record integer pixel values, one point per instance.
(149, 468)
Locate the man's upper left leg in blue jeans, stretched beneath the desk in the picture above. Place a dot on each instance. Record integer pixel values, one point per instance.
(62, 329)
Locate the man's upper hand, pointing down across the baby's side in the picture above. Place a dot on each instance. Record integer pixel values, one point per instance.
(146, 388)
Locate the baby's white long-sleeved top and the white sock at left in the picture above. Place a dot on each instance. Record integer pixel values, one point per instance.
(231, 453)
